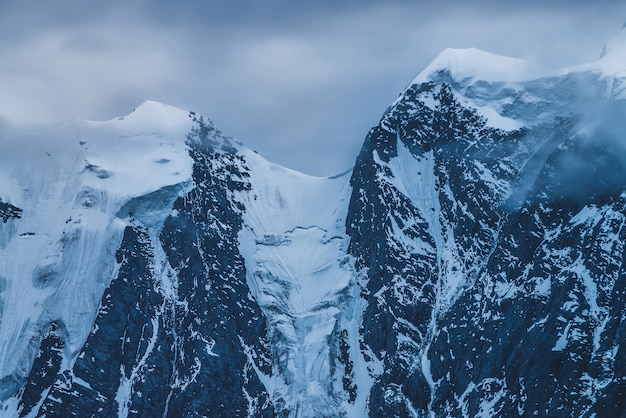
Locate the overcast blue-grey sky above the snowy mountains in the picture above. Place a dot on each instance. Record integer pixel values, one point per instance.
(301, 82)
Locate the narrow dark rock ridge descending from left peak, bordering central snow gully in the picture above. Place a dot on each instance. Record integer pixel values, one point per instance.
(221, 337)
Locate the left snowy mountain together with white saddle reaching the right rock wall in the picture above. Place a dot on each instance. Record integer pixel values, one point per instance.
(132, 193)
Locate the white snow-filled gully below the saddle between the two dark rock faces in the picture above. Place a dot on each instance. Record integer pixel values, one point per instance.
(294, 244)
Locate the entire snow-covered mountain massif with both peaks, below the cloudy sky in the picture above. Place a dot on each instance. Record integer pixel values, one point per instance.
(471, 264)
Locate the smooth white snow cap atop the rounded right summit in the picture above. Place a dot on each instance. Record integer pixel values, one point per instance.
(475, 64)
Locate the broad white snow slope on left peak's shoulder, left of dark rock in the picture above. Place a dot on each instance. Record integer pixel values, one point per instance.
(70, 184)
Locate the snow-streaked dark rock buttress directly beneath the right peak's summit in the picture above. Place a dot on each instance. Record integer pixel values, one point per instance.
(430, 178)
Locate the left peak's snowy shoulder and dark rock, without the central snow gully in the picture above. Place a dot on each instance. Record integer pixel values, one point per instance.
(157, 319)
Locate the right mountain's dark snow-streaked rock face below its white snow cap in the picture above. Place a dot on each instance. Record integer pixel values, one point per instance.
(476, 214)
